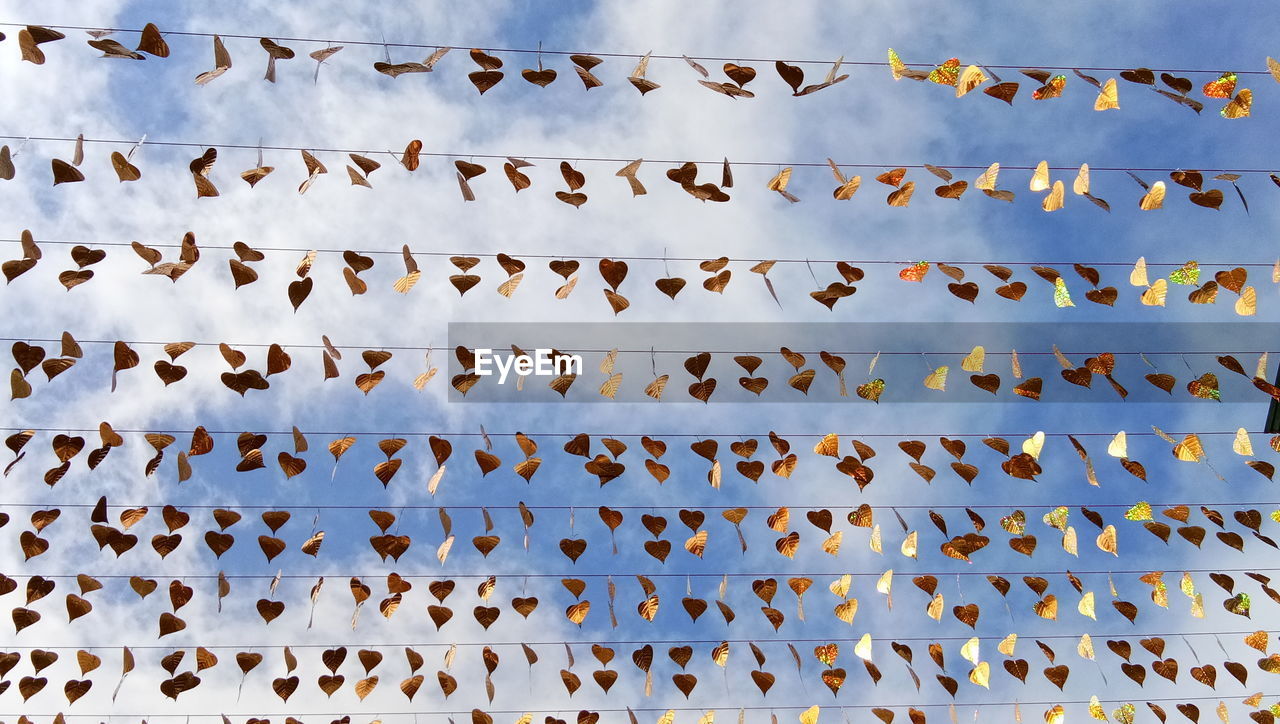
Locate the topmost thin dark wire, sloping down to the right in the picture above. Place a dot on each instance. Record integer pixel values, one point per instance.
(602, 54)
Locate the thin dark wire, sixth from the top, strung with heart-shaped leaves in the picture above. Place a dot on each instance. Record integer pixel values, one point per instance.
(990, 507)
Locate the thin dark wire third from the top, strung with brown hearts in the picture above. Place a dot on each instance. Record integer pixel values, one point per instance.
(630, 258)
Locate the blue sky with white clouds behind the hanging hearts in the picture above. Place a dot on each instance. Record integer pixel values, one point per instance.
(867, 120)
